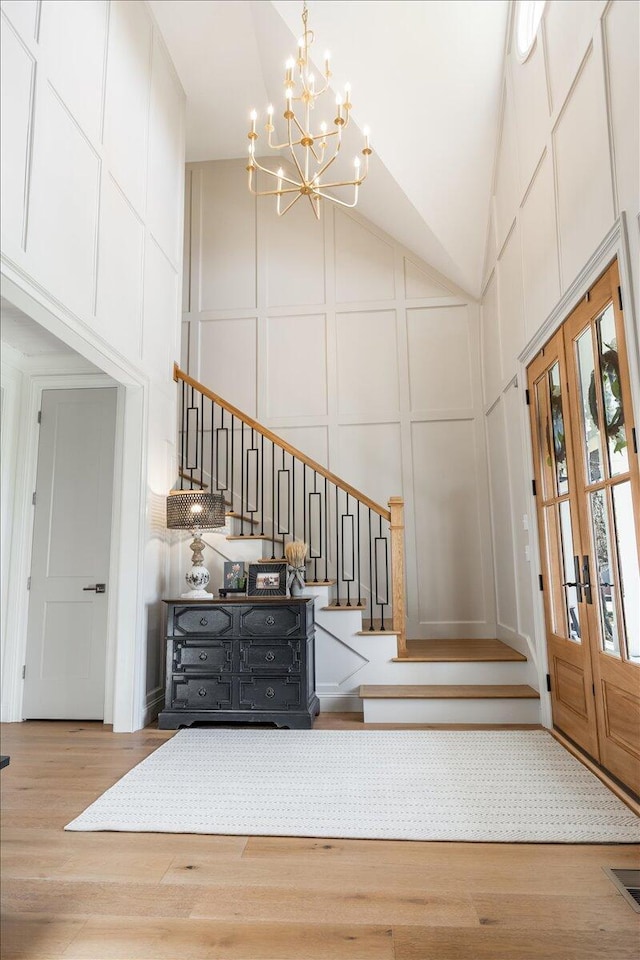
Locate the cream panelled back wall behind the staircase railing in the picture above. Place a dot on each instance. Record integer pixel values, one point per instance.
(360, 355)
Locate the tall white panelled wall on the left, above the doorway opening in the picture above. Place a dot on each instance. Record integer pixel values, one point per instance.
(92, 200)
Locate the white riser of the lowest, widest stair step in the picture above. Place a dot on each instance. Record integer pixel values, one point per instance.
(491, 710)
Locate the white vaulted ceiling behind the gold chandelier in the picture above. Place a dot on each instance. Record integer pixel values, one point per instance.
(425, 76)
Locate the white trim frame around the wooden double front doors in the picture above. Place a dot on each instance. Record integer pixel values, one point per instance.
(615, 245)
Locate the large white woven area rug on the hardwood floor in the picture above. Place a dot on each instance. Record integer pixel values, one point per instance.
(508, 786)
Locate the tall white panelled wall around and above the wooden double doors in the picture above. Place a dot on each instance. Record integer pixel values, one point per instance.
(566, 167)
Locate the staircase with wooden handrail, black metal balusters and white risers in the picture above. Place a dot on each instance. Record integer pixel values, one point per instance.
(355, 572)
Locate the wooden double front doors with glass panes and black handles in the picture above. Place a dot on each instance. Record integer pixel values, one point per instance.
(589, 521)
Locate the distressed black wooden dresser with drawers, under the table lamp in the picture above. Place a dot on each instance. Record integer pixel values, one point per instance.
(240, 659)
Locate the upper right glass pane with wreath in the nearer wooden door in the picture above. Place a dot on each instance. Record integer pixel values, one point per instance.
(612, 394)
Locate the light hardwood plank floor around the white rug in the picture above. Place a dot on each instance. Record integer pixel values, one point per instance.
(91, 896)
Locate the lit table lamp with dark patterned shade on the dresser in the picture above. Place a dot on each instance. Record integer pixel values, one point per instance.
(196, 511)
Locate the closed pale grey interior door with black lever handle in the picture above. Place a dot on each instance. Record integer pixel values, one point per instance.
(67, 631)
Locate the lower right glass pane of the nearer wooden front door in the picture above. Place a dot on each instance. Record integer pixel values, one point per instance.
(629, 569)
